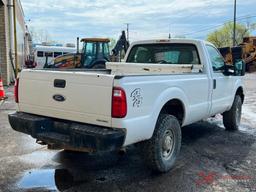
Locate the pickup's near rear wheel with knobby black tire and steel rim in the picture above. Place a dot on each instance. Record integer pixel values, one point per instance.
(155, 151)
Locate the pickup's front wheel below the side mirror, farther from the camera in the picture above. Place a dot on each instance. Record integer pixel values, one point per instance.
(232, 118)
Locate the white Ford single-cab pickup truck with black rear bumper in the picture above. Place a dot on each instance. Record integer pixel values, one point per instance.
(162, 86)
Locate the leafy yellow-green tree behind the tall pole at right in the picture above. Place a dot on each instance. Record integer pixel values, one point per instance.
(223, 37)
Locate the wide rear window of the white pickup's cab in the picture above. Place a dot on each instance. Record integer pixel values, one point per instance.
(164, 53)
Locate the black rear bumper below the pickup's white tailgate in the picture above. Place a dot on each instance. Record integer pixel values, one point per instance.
(68, 133)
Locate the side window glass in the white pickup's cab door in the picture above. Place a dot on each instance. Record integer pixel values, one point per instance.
(216, 59)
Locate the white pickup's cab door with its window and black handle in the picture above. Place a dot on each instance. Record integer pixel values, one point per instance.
(222, 86)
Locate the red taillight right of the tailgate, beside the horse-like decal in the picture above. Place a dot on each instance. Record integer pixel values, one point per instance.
(119, 104)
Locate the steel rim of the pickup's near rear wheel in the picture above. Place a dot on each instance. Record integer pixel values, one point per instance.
(168, 144)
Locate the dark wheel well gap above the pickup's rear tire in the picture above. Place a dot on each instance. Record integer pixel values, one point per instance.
(176, 108)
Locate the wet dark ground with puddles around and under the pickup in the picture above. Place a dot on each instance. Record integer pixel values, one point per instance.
(211, 159)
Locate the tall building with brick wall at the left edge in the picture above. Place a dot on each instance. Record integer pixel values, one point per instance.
(7, 64)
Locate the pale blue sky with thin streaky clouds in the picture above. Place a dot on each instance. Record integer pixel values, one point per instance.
(66, 19)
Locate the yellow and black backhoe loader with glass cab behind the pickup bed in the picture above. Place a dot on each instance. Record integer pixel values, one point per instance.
(95, 53)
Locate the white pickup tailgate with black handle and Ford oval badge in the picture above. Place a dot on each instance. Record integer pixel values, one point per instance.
(86, 97)
